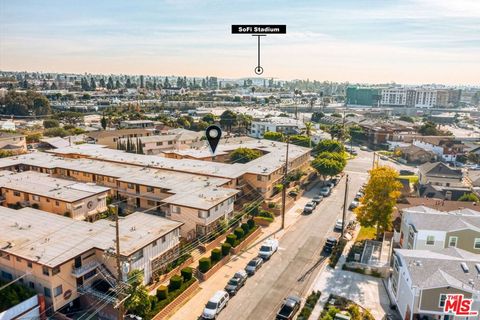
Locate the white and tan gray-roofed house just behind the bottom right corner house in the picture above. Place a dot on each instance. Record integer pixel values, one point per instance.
(424, 228)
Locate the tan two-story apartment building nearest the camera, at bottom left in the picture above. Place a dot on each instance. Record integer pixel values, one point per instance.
(67, 260)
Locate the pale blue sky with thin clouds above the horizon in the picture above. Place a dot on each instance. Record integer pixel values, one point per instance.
(374, 41)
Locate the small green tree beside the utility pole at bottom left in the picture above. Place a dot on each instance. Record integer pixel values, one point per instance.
(138, 301)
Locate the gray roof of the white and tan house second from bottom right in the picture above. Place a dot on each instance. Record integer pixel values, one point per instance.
(424, 218)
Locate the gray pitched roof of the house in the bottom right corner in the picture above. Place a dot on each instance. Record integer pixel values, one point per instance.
(433, 269)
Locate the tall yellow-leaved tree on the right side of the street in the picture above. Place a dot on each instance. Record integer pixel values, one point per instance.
(381, 194)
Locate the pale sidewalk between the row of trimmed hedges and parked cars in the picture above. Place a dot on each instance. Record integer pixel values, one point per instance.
(193, 308)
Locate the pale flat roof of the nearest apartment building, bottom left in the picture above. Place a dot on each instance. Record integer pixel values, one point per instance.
(51, 239)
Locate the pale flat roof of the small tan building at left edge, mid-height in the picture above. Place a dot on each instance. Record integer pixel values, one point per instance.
(44, 185)
